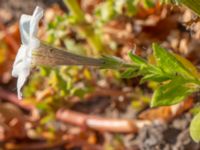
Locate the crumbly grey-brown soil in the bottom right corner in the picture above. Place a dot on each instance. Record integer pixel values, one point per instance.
(173, 136)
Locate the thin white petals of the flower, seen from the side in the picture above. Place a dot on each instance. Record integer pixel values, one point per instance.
(28, 31)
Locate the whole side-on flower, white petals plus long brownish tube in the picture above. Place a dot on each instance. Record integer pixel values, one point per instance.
(33, 52)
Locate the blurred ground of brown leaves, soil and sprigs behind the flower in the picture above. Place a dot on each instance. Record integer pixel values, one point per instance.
(77, 107)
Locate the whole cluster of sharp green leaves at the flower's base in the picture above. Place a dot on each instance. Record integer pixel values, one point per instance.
(176, 81)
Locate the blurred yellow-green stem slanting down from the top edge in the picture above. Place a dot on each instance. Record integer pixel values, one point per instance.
(84, 28)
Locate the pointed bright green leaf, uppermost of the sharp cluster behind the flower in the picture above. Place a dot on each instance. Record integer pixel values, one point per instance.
(169, 63)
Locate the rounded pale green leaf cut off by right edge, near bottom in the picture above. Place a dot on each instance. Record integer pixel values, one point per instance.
(195, 128)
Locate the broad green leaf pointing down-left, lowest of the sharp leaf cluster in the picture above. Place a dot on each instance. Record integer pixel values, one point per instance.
(171, 93)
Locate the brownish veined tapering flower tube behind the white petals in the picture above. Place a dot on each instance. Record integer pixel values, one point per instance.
(51, 56)
